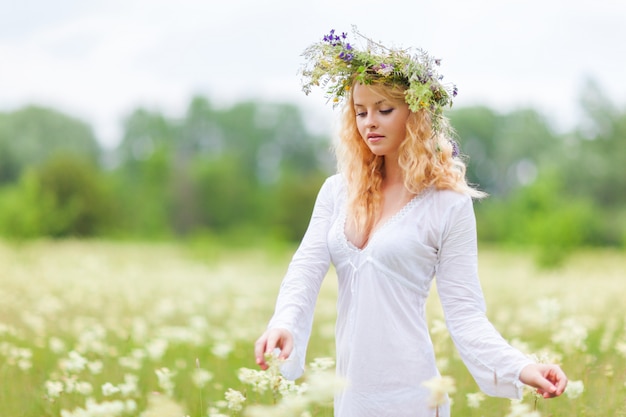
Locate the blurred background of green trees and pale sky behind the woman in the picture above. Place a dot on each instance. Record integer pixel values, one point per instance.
(160, 120)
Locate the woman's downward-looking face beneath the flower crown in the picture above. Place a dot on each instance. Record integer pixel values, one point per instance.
(380, 120)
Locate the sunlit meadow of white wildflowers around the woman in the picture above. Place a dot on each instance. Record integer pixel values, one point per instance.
(119, 329)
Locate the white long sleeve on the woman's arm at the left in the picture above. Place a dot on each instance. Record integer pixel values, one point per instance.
(300, 287)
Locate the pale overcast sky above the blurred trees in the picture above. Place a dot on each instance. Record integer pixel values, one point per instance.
(100, 59)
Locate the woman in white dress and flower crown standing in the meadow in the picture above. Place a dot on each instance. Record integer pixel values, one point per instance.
(398, 214)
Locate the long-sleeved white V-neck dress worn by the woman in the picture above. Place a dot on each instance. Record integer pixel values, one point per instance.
(383, 346)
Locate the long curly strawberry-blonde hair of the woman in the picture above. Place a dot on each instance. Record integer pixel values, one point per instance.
(425, 158)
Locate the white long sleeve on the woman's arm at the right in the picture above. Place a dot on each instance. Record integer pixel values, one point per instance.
(494, 364)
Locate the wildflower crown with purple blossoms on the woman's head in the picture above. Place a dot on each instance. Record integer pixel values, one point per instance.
(335, 65)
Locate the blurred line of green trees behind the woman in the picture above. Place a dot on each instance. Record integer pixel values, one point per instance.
(254, 170)
